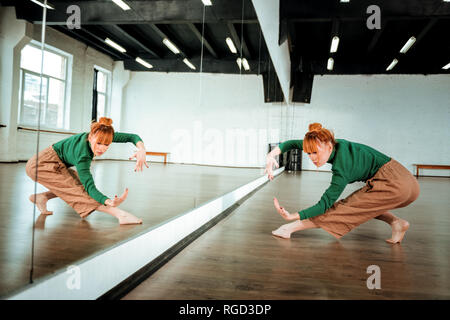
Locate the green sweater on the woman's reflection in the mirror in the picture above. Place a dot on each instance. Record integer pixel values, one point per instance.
(76, 151)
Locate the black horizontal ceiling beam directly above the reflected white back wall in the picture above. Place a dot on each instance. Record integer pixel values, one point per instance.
(208, 66)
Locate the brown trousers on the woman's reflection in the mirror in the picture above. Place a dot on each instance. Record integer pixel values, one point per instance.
(61, 181)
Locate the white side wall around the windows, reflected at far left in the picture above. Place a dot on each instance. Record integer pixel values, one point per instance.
(14, 35)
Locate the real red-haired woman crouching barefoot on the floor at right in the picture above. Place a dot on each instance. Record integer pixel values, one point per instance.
(389, 185)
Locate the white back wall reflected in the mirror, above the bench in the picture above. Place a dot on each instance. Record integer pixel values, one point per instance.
(203, 119)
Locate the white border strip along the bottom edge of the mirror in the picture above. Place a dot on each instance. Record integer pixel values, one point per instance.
(95, 276)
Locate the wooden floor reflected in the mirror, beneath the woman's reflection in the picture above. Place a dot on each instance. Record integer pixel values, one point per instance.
(155, 195)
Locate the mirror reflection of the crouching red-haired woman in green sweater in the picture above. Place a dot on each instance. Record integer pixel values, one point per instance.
(77, 188)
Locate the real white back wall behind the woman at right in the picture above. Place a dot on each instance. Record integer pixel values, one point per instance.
(406, 117)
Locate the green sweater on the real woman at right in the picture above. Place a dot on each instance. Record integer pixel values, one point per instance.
(350, 162)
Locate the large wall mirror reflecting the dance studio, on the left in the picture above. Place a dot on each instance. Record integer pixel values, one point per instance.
(186, 77)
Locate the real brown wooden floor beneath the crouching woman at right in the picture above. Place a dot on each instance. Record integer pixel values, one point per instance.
(240, 259)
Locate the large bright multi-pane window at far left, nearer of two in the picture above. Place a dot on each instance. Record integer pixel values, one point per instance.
(52, 98)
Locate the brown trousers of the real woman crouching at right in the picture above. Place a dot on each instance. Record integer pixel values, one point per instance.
(393, 186)
